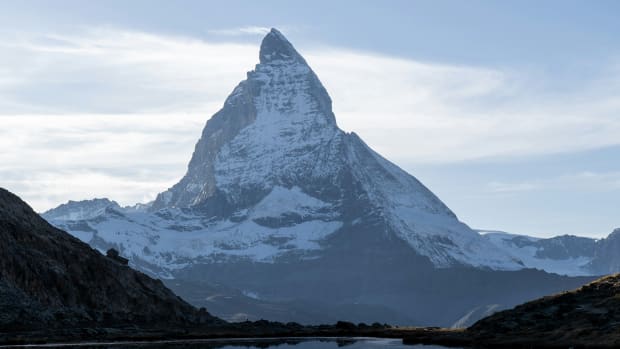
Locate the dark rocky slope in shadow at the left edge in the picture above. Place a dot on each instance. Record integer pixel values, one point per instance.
(49, 279)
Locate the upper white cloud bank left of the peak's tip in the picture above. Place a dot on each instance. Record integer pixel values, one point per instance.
(112, 71)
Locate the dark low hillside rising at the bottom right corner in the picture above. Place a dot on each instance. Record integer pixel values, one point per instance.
(586, 317)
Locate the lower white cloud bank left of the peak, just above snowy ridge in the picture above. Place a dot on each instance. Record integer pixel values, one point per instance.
(49, 159)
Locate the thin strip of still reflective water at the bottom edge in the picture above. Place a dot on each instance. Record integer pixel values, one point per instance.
(282, 343)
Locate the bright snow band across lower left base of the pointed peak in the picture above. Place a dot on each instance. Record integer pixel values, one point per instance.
(173, 238)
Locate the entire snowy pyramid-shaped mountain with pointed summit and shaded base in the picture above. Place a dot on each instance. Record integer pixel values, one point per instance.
(282, 206)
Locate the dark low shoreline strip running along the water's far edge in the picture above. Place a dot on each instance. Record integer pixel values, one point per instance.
(227, 335)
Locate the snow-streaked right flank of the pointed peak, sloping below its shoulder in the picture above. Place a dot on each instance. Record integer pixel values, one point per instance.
(420, 218)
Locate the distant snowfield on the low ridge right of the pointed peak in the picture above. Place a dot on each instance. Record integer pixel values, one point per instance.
(564, 255)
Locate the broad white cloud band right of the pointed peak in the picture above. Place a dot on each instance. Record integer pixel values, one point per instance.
(430, 113)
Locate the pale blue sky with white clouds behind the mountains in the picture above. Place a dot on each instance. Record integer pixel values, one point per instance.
(509, 111)
